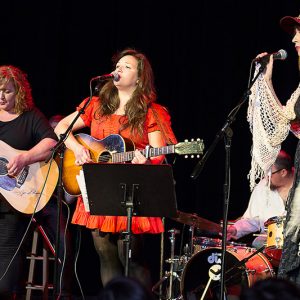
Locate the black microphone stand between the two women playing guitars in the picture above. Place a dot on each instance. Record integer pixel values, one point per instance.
(59, 148)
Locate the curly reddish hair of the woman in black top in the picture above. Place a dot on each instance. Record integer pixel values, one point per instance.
(24, 101)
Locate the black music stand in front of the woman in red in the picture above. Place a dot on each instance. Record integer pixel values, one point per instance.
(130, 190)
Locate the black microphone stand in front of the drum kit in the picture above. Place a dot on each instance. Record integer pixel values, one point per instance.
(227, 133)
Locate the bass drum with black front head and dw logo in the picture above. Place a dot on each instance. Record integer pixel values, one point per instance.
(197, 272)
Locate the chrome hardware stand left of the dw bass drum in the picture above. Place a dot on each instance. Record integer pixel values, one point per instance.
(171, 275)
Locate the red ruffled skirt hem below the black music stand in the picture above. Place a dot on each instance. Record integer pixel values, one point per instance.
(115, 224)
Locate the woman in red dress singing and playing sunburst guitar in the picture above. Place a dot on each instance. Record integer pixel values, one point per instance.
(124, 106)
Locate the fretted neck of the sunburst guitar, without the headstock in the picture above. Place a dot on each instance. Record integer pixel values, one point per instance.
(128, 156)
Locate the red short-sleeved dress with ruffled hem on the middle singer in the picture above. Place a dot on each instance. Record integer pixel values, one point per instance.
(101, 129)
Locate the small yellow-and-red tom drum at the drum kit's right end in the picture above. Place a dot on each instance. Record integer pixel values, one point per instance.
(274, 238)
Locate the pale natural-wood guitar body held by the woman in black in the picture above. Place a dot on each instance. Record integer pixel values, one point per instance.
(23, 192)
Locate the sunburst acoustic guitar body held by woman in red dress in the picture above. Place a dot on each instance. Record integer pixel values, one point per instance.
(100, 151)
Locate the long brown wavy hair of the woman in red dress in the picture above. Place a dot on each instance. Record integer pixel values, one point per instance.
(144, 94)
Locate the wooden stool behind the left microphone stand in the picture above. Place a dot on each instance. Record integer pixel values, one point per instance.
(48, 253)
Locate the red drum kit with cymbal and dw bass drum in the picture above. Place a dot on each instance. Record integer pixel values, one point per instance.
(196, 274)
